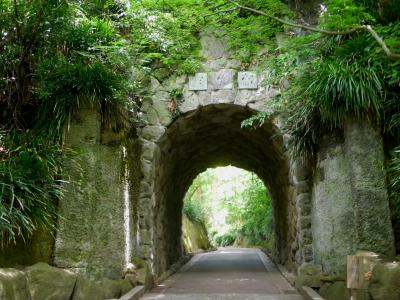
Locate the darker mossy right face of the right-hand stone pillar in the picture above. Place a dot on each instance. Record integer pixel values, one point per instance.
(364, 153)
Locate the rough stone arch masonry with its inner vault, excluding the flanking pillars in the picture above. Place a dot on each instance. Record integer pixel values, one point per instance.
(205, 130)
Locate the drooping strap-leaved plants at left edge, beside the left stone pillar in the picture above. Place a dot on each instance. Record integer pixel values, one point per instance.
(30, 185)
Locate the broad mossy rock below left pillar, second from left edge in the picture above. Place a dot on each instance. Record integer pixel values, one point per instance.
(47, 282)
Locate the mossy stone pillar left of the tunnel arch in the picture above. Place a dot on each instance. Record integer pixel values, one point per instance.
(91, 231)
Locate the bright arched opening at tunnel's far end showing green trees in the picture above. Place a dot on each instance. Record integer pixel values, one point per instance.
(227, 206)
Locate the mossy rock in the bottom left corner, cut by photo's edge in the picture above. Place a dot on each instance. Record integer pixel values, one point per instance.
(13, 285)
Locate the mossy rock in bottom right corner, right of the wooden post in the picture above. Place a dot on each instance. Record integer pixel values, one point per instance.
(385, 282)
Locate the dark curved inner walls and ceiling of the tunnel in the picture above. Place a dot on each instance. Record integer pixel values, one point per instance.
(208, 137)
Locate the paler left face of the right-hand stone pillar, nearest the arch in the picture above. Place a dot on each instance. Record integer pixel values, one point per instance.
(332, 220)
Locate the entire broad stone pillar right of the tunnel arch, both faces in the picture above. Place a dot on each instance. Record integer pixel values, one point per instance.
(350, 208)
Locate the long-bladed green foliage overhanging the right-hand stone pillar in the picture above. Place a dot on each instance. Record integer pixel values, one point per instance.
(336, 78)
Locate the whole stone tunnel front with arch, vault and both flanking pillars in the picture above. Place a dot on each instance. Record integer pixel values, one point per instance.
(127, 197)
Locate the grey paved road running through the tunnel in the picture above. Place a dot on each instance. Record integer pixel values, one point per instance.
(229, 273)
